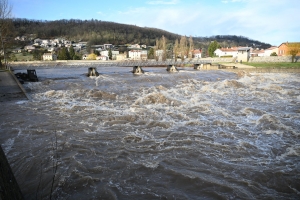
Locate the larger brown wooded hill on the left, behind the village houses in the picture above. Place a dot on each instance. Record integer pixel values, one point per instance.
(94, 31)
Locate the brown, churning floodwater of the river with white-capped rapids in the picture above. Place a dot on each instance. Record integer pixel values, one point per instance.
(159, 135)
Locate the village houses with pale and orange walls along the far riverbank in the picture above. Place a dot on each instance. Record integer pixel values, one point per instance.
(140, 52)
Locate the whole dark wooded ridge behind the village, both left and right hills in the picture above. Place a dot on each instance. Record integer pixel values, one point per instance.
(102, 32)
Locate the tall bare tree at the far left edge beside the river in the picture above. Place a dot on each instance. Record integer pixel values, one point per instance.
(5, 28)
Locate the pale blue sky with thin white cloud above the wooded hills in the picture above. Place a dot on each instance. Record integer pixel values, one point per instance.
(269, 21)
